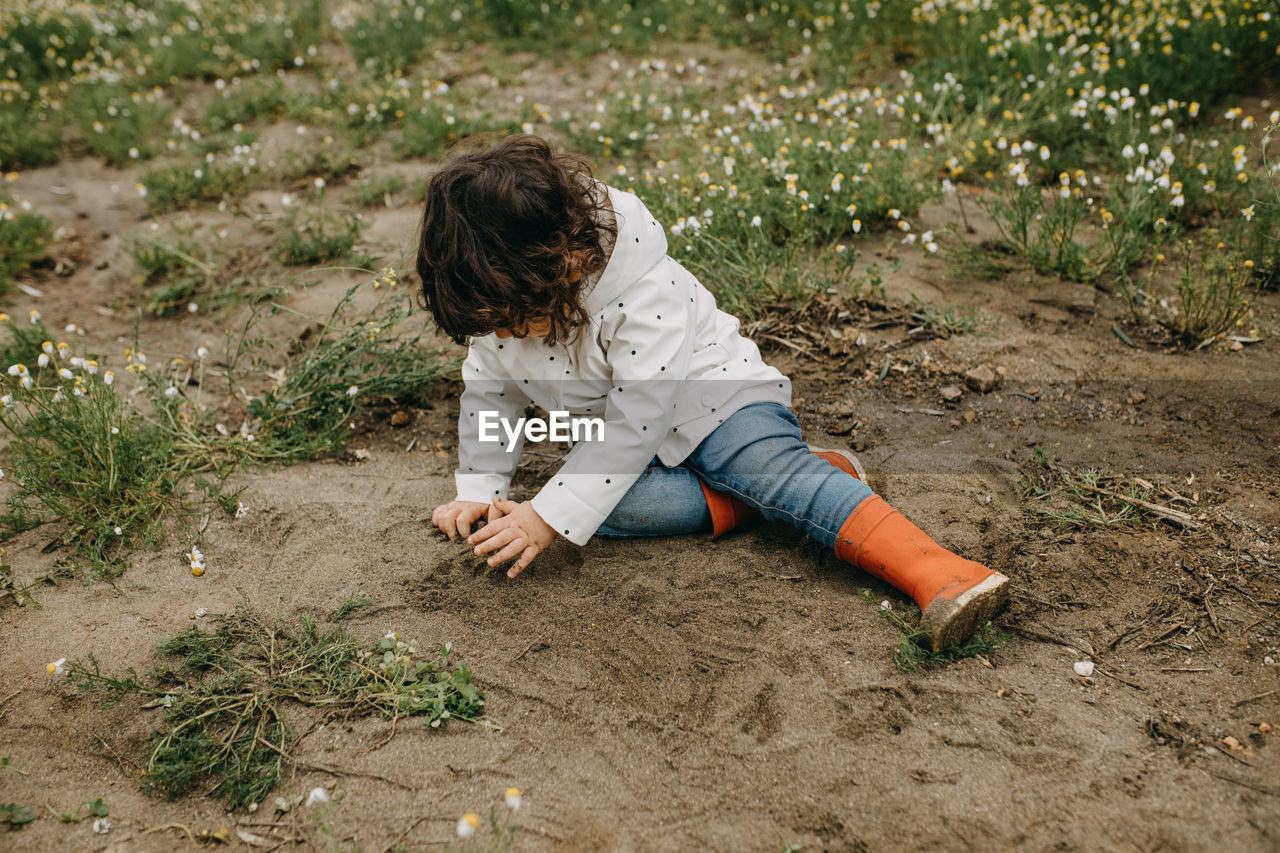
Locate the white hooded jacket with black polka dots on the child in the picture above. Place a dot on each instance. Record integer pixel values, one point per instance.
(661, 364)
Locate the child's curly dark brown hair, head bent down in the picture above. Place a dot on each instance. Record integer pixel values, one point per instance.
(513, 234)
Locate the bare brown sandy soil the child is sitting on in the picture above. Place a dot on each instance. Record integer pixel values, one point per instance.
(737, 695)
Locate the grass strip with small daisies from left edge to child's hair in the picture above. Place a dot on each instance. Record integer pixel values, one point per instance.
(106, 466)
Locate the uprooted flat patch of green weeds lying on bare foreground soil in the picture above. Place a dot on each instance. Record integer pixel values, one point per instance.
(225, 697)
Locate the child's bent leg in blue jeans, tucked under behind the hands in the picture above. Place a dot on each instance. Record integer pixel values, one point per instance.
(664, 503)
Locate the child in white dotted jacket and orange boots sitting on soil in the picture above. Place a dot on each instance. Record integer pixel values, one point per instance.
(570, 302)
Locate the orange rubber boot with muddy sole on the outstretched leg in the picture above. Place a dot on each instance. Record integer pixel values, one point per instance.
(957, 596)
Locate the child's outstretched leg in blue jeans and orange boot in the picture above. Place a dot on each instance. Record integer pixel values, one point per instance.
(758, 455)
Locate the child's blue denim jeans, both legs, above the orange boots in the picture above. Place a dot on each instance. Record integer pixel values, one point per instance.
(757, 455)
